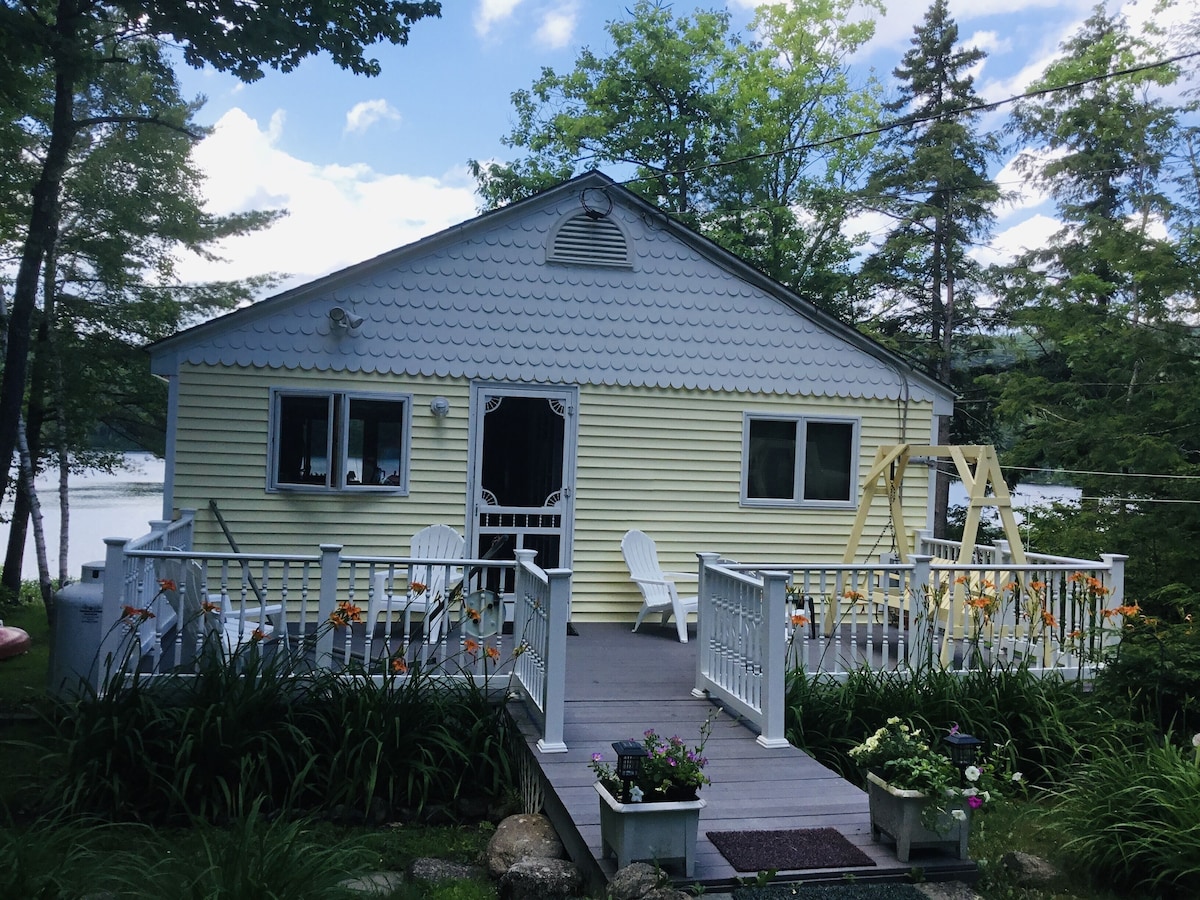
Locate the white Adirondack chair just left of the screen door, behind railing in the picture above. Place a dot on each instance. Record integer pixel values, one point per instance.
(433, 602)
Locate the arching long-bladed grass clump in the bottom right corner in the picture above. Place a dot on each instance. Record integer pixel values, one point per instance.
(1130, 818)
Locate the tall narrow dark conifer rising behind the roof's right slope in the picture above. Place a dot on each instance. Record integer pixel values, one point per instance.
(932, 181)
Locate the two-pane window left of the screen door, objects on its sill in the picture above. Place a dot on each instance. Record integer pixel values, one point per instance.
(339, 441)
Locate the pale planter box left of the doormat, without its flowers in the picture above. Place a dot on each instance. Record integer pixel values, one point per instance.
(650, 832)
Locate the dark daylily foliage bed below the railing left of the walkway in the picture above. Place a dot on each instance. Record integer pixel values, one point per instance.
(259, 728)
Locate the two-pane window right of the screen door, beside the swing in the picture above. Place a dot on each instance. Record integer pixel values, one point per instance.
(799, 461)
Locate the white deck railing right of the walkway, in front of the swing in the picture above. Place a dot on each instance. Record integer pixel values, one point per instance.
(757, 622)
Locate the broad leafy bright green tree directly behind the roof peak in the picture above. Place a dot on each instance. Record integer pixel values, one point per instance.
(734, 137)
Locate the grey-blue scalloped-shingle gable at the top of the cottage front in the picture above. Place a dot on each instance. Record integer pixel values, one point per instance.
(481, 302)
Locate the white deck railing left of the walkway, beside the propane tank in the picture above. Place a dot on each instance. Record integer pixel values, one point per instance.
(161, 602)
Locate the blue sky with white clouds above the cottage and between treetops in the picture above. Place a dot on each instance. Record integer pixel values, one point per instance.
(367, 165)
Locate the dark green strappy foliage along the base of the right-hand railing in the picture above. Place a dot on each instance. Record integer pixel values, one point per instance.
(1041, 725)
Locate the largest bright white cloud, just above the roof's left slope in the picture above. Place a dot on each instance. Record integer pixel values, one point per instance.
(338, 215)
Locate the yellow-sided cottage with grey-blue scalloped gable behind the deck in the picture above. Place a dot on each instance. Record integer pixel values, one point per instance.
(561, 370)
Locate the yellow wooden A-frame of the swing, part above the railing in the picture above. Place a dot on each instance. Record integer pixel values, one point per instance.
(977, 467)
